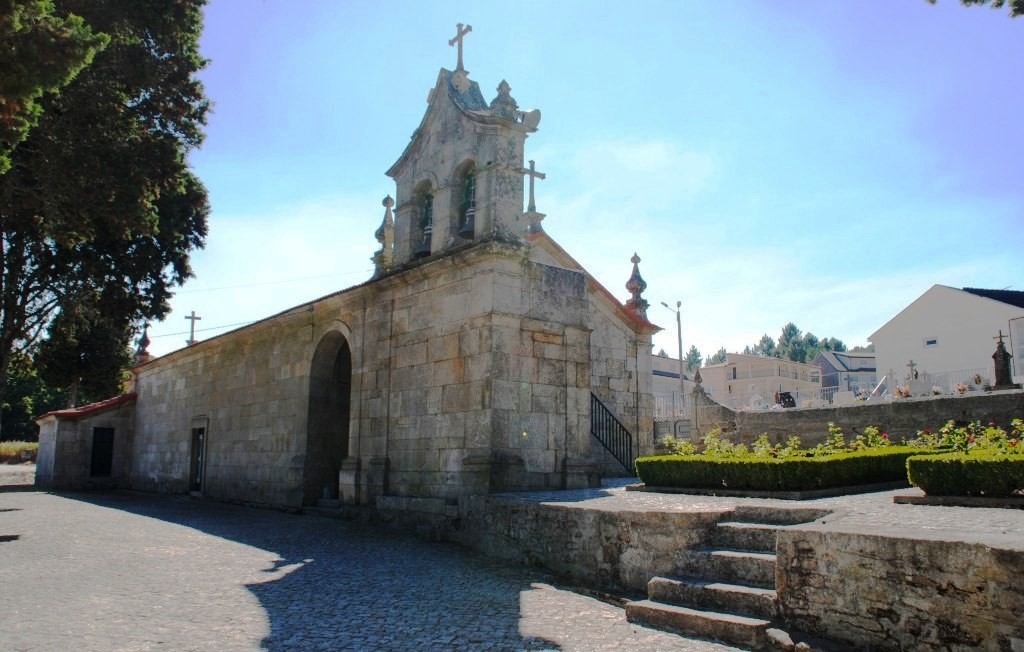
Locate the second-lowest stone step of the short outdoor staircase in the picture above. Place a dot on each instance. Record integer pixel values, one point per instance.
(750, 601)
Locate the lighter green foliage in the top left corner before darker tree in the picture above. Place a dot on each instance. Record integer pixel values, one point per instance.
(41, 53)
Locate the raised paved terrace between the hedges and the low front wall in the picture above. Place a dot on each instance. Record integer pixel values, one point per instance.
(870, 513)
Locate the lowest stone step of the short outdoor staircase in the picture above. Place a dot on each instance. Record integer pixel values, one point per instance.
(728, 628)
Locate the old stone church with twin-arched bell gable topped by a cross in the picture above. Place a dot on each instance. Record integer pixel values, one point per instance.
(481, 357)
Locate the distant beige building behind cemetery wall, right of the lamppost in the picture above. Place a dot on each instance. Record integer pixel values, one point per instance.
(745, 380)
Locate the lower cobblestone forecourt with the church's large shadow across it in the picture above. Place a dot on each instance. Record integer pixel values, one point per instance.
(125, 572)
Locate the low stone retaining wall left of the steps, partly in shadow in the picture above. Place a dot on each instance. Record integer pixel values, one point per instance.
(604, 550)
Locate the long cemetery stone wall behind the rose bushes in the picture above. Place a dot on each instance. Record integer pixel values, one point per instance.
(900, 419)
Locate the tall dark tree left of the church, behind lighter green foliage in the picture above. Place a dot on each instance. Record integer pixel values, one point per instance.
(100, 201)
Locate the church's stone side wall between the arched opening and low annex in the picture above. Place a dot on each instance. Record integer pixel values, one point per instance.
(248, 389)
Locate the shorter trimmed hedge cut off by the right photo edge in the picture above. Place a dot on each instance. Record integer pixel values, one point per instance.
(988, 474)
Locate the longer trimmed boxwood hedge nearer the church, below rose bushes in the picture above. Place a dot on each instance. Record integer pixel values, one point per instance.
(771, 474)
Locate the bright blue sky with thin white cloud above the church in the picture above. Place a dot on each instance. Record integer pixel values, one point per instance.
(823, 163)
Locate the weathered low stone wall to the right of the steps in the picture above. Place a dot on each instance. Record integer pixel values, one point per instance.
(903, 594)
